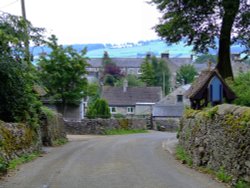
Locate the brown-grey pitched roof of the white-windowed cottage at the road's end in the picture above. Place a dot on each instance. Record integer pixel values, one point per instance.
(115, 96)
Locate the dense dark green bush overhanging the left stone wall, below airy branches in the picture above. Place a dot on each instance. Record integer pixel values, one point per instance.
(18, 102)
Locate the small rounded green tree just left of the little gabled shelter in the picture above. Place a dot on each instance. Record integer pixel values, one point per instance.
(186, 74)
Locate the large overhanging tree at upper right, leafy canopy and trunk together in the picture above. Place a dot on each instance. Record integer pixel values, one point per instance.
(200, 23)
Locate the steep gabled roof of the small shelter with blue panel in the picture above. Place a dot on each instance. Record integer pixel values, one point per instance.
(200, 84)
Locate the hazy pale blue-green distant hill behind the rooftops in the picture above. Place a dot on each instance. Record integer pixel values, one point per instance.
(132, 50)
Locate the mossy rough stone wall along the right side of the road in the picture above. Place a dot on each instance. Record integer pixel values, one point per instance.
(218, 138)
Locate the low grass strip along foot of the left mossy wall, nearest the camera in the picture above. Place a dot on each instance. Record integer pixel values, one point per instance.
(23, 159)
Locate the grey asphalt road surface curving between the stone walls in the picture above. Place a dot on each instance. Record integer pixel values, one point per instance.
(128, 161)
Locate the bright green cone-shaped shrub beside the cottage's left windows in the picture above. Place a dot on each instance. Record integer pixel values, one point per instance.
(99, 109)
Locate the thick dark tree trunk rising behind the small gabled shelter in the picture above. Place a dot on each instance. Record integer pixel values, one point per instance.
(231, 8)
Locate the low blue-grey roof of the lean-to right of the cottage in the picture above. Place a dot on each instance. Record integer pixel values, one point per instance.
(168, 111)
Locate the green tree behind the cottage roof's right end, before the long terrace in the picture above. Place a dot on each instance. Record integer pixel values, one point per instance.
(155, 73)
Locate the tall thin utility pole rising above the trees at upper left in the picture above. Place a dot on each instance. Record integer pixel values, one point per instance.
(26, 41)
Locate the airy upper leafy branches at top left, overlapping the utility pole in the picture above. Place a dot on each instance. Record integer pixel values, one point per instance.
(14, 31)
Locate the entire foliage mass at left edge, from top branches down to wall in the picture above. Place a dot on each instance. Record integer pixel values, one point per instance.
(18, 101)
